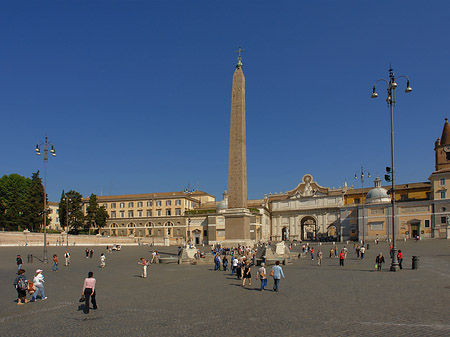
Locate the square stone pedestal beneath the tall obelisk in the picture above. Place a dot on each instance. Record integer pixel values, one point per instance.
(237, 228)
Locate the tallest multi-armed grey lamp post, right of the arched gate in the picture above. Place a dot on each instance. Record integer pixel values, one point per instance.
(390, 100)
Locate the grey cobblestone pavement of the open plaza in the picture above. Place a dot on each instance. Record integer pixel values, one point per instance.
(187, 300)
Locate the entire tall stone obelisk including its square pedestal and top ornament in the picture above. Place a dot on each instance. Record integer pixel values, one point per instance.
(237, 217)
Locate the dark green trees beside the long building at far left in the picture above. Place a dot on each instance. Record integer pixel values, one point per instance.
(22, 206)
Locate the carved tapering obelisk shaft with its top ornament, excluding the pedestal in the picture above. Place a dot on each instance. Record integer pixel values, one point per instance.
(237, 163)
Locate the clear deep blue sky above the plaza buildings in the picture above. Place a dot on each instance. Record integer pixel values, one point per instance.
(136, 95)
